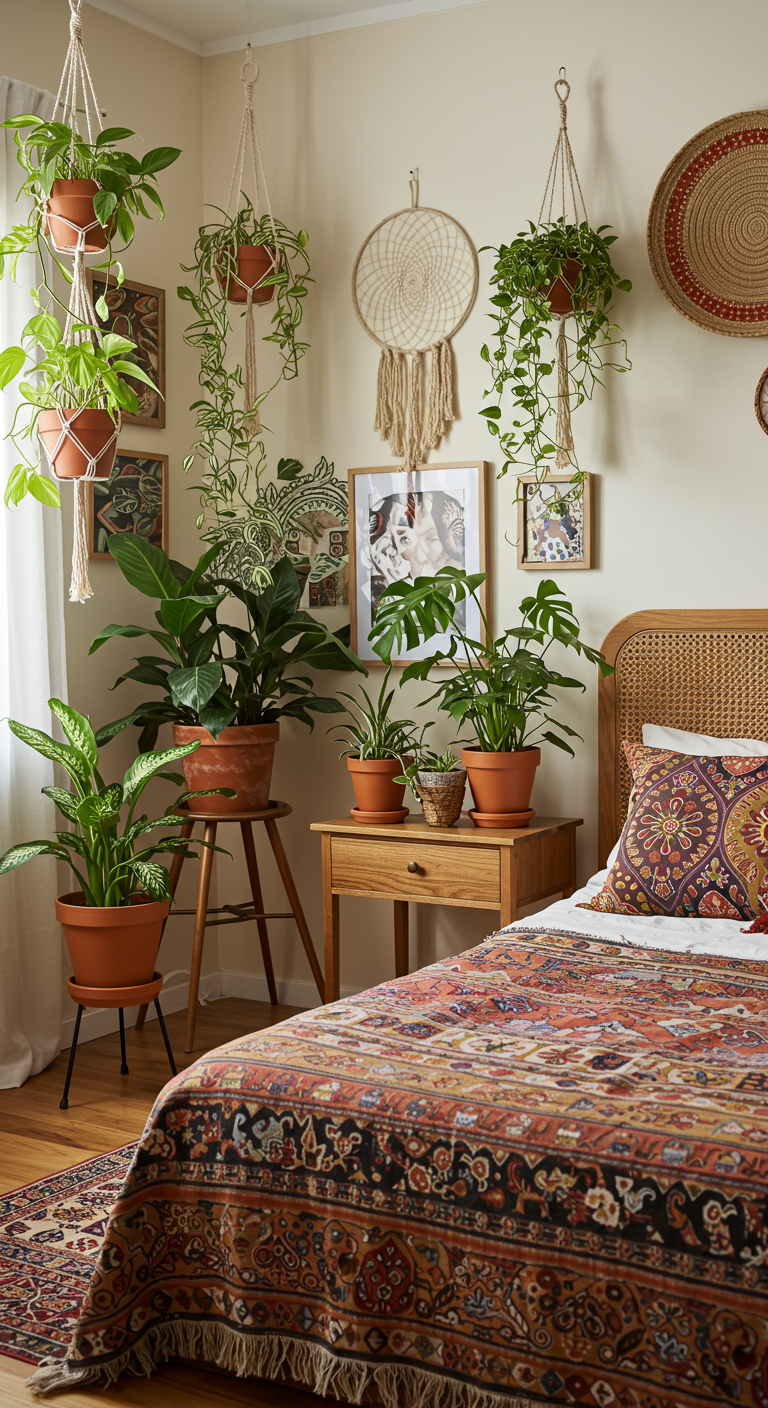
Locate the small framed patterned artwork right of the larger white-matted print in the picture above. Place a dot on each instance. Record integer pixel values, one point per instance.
(555, 530)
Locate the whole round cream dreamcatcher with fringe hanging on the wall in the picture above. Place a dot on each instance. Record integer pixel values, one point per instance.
(414, 285)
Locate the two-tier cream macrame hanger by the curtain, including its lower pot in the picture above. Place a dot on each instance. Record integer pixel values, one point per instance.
(70, 239)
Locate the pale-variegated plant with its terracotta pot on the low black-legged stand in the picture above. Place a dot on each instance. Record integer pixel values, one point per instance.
(113, 922)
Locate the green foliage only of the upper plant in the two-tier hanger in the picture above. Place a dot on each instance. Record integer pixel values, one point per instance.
(54, 151)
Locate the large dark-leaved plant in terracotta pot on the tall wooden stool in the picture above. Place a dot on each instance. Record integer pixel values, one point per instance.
(225, 686)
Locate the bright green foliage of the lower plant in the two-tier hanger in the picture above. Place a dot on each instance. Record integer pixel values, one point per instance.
(74, 377)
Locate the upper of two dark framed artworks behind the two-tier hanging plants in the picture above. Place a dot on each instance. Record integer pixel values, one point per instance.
(137, 312)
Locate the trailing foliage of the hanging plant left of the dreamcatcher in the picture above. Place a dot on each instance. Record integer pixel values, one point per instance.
(225, 441)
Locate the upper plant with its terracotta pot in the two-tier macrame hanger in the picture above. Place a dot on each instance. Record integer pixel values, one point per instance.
(81, 187)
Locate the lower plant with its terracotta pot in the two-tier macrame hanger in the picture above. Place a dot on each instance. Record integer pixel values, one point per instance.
(82, 386)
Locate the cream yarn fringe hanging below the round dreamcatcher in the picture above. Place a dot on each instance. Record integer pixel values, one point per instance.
(414, 410)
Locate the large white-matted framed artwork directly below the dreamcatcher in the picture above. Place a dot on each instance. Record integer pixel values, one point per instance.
(409, 526)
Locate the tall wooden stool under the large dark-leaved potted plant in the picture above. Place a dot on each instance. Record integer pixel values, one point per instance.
(239, 913)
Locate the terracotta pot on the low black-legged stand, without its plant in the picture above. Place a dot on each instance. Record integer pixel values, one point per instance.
(116, 947)
